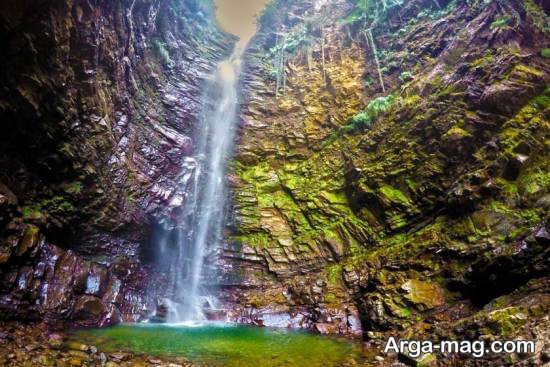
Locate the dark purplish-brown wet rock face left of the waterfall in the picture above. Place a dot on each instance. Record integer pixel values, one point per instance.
(98, 104)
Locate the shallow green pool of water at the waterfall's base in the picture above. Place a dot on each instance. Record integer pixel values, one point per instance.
(231, 345)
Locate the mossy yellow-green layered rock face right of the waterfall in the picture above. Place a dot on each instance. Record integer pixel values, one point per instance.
(413, 205)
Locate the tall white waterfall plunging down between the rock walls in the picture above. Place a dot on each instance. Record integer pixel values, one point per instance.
(201, 221)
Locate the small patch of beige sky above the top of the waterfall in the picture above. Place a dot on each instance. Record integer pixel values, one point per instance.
(239, 17)
